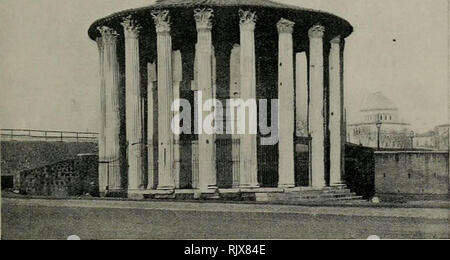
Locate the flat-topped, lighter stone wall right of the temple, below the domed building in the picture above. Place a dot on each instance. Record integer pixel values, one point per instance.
(401, 175)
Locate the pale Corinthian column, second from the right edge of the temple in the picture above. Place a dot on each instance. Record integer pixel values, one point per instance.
(317, 118)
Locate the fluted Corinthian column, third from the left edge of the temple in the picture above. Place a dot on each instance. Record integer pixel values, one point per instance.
(133, 114)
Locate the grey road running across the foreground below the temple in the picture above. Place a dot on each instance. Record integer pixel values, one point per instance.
(58, 219)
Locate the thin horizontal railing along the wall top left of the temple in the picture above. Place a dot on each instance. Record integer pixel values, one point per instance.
(47, 135)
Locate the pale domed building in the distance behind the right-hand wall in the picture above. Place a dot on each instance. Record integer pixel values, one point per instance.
(378, 111)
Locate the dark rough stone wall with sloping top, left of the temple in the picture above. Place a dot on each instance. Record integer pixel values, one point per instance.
(73, 177)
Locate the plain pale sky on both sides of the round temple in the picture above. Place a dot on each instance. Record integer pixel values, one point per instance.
(49, 66)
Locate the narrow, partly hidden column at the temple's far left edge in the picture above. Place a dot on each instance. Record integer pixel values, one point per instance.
(102, 167)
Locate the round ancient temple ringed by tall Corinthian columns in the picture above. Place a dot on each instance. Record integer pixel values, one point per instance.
(284, 61)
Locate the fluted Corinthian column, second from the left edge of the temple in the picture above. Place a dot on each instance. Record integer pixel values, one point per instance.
(112, 127)
